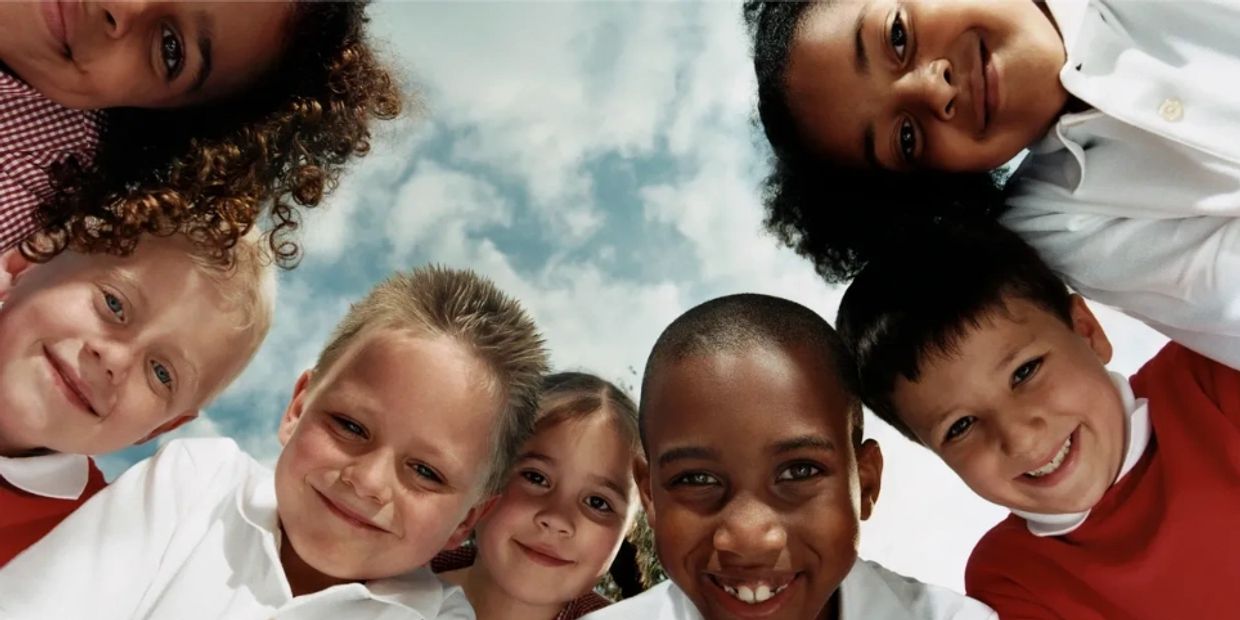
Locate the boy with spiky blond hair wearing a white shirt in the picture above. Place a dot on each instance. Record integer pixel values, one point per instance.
(395, 445)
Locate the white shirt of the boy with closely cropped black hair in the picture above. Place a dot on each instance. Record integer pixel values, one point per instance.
(869, 593)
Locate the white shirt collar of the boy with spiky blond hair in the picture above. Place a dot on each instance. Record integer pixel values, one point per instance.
(420, 590)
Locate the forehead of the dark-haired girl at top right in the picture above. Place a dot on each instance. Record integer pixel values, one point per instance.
(826, 95)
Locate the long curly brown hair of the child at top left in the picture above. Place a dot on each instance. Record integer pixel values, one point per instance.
(210, 172)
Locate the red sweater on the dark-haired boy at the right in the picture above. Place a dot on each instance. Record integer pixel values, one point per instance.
(1165, 540)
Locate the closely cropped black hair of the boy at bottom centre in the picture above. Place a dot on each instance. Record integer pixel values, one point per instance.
(741, 322)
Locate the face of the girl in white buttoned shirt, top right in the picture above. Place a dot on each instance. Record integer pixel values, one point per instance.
(941, 85)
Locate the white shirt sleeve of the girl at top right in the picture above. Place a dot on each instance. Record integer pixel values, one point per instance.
(1181, 277)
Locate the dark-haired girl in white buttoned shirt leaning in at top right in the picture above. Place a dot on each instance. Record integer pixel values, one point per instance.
(887, 117)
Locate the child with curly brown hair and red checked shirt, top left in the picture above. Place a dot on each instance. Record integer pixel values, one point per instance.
(127, 118)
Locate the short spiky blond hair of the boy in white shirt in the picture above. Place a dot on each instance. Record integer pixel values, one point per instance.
(472, 311)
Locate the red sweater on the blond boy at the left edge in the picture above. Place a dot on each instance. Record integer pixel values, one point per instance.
(27, 518)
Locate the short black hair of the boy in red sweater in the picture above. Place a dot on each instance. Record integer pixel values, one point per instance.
(919, 302)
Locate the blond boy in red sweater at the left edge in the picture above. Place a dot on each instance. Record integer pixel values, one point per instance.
(101, 353)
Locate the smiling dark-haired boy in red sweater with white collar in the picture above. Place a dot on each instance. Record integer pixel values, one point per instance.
(1124, 494)
